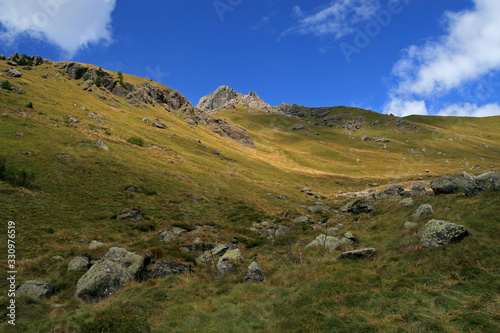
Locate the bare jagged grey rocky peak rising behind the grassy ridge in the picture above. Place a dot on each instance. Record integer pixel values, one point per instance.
(225, 97)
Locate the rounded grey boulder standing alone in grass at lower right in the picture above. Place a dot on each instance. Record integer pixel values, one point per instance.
(436, 233)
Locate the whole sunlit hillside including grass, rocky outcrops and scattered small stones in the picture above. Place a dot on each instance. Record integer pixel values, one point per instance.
(81, 145)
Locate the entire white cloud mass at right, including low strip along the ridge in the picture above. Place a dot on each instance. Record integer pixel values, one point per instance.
(468, 52)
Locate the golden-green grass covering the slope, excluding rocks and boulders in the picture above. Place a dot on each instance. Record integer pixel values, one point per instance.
(404, 289)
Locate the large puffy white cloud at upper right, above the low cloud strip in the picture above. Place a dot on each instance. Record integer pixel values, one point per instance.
(469, 50)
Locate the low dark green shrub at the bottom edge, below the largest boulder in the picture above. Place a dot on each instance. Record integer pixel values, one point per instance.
(117, 322)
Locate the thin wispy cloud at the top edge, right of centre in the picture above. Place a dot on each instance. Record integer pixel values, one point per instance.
(337, 19)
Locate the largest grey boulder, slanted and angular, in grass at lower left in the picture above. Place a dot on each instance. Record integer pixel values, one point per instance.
(110, 274)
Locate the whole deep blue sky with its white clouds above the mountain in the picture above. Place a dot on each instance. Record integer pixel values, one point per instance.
(428, 57)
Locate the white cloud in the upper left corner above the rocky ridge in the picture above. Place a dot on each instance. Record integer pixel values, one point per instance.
(69, 24)
